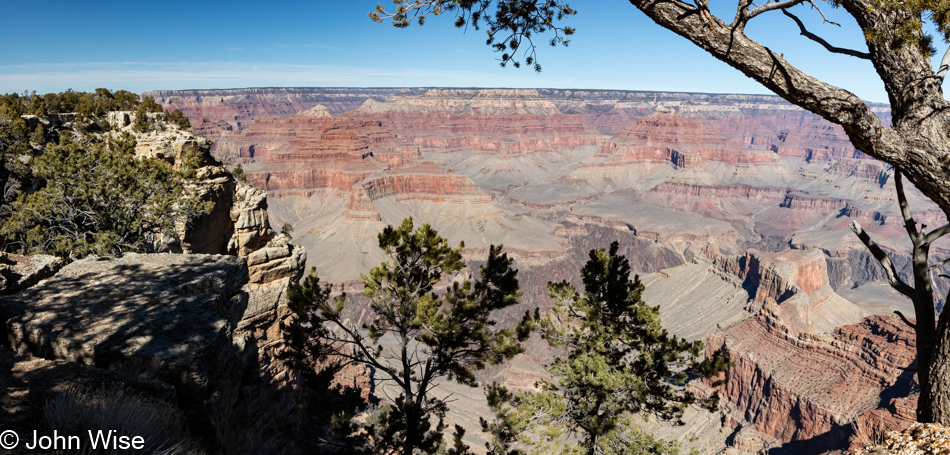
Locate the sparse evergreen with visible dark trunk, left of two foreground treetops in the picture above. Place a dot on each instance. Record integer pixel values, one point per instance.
(416, 336)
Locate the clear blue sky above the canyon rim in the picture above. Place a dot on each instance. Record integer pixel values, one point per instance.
(139, 46)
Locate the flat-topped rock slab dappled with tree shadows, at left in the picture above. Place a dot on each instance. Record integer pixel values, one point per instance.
(172, 314)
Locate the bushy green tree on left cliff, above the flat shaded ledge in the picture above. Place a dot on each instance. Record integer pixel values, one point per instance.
(97, 198)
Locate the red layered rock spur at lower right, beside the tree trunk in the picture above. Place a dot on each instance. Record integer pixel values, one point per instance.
(824, 382)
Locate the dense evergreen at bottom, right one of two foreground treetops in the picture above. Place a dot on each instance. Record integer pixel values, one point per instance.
(619, 362)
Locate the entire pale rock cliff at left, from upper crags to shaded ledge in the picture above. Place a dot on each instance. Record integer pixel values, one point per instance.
(190, 334)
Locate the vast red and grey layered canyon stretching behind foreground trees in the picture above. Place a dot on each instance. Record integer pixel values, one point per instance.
(734, 209)
